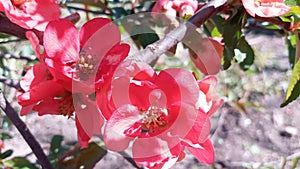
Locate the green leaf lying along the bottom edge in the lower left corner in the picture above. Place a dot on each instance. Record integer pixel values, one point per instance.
(19, 163)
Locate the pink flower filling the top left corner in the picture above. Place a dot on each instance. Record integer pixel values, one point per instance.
(30, 14)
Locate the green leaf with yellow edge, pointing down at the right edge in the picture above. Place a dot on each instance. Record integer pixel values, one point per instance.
(294, 87)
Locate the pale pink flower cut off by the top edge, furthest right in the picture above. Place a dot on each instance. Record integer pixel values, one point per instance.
(265, 8)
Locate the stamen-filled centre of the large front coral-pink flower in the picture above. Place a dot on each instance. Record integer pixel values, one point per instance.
(154, 117)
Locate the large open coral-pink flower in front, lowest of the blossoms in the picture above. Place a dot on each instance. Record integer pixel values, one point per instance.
(162, 113)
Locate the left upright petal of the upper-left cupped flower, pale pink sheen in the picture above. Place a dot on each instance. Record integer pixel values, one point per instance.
(61, 41)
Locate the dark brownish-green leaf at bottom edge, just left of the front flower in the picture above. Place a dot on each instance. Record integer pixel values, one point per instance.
(88, 157)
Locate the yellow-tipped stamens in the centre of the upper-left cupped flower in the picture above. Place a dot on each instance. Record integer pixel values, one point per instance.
(86, 63)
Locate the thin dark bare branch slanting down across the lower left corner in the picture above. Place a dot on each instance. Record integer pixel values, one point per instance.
(27, 135)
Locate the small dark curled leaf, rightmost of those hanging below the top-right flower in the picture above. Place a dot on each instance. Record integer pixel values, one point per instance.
(245, 48)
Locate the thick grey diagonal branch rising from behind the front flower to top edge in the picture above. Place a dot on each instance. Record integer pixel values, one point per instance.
(151, 52)
